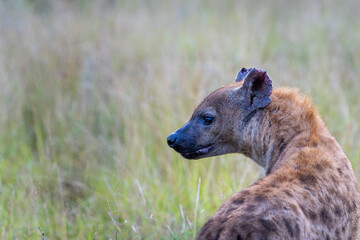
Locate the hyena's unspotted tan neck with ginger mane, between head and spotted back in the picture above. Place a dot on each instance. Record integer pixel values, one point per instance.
(287, 125)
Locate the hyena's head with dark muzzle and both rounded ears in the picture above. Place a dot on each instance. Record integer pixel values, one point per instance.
(217, 124)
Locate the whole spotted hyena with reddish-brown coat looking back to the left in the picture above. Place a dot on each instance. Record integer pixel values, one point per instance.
(310, 190)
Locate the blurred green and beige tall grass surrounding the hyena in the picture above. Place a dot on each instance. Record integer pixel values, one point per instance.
(89, 91)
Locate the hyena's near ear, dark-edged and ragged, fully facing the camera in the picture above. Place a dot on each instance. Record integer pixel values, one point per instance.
(258, 88)
